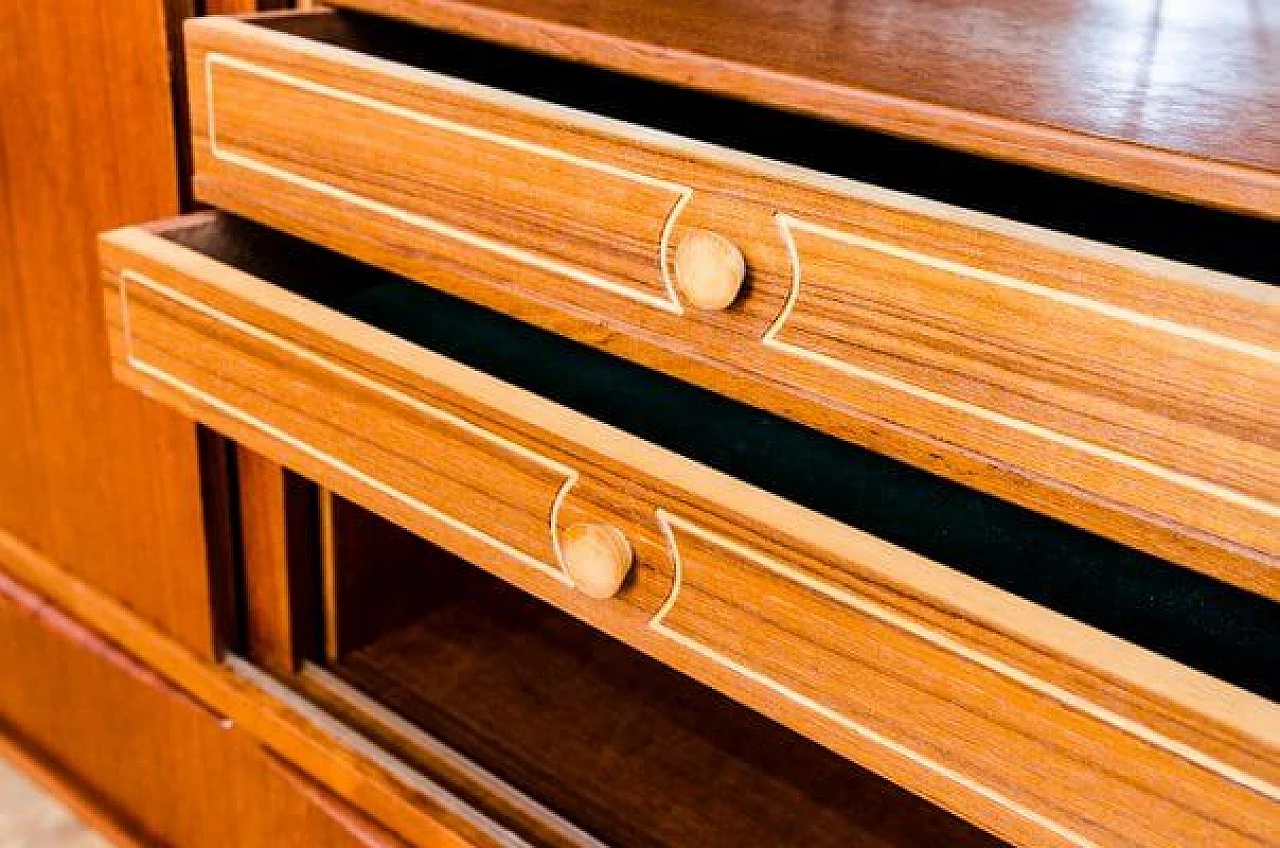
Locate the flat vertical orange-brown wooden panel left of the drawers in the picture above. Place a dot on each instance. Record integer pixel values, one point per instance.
(92, 476)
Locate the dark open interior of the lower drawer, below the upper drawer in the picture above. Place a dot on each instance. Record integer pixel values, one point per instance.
(1194, 619)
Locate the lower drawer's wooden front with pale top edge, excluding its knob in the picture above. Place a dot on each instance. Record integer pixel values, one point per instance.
(1036, 727)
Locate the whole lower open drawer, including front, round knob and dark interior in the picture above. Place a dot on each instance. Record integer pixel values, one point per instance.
(1035, 726)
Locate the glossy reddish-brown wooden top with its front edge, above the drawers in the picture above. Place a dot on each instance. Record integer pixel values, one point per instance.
(1178, 98)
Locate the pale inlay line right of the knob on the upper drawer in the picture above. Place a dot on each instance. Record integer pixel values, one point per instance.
(787, 224)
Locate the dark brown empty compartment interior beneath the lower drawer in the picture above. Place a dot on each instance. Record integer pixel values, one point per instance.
(630, 751)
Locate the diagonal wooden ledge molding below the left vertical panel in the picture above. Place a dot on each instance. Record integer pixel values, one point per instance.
(423, 814)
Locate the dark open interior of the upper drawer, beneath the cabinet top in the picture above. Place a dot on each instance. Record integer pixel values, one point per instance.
(1219, 240)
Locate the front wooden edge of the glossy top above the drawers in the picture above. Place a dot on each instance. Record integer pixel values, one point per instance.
(1109, 161)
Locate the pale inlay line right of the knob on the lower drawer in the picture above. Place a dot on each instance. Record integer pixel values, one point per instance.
(668, 521)
